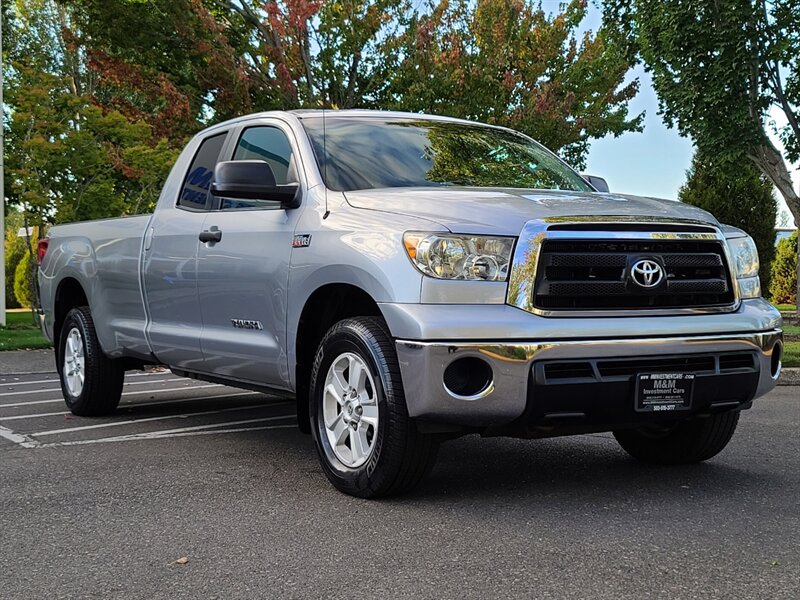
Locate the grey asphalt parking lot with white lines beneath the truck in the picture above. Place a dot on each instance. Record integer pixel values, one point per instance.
(103, 508)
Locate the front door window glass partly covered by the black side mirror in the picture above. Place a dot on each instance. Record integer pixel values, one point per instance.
(268, 144)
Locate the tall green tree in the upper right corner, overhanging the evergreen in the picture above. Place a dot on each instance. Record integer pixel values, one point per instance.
(719, 68)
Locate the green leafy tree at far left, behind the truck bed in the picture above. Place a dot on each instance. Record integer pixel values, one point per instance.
(68, 157)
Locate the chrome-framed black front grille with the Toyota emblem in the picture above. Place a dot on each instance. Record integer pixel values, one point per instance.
(587, 269)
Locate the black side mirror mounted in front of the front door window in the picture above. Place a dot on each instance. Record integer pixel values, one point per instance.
(252, 180)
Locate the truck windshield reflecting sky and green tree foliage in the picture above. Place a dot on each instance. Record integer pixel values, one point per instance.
(368, 153)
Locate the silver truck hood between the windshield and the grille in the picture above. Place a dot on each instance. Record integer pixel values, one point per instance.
(504, 211)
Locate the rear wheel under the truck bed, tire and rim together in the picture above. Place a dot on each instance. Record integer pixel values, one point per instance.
(79, 352)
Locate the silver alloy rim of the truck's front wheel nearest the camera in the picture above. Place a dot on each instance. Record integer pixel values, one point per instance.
(350, 410)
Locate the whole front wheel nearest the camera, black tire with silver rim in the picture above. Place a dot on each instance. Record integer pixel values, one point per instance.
(381, 460)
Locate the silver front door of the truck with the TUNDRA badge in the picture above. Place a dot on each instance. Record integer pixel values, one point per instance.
(242, 278)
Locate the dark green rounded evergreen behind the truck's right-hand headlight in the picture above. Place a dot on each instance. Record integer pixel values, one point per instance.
(737, 195)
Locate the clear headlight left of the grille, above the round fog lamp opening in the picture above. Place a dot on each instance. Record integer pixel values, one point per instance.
(447, 256)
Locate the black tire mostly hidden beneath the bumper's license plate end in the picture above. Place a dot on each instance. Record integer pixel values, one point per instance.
(688, 442)
